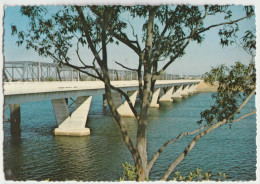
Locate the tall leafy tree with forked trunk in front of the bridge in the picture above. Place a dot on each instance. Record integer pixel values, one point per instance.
(167, 31)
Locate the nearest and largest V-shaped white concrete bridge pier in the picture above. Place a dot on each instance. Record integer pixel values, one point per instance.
(74, 124)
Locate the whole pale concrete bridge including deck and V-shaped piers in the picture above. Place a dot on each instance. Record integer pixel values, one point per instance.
(73, 124)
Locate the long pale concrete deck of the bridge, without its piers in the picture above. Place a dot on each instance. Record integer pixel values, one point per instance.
(20, 92)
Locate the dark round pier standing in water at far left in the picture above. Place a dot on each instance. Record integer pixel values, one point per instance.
(15, 119)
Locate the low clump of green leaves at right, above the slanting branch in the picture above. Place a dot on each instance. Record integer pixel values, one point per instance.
(235, 84)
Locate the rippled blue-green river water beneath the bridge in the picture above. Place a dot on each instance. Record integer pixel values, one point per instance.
(39, 155)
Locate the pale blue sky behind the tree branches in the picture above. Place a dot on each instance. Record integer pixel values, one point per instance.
(198, 60)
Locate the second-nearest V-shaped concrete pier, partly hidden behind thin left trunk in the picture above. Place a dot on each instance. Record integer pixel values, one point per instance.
(123, 108)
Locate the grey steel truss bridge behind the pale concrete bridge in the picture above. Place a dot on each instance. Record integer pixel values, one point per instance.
(39, 71)
